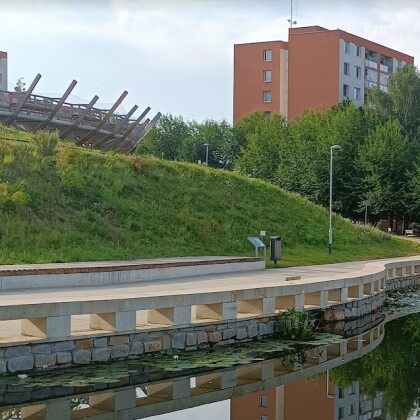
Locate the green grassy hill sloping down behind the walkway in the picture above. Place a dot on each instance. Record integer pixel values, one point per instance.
(61, 203)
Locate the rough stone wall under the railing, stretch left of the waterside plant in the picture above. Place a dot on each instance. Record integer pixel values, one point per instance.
(103, 349)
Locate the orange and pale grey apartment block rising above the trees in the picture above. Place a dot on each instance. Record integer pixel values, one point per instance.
(316, 68)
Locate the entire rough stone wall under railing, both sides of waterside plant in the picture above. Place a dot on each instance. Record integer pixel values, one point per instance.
(83, 351)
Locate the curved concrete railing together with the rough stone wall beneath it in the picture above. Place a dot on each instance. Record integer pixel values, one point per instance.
(188, 319)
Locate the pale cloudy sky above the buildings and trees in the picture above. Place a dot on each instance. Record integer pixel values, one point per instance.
(175, 56)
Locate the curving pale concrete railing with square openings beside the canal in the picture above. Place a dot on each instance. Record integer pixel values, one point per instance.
(55, 320)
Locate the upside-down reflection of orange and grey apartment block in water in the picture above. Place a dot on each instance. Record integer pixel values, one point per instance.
(307, 399)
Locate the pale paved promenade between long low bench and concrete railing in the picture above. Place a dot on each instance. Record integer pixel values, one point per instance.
(189, 285)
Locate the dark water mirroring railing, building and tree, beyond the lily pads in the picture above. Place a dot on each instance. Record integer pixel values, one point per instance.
(330, 382)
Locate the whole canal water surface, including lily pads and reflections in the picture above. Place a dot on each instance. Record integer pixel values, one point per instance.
(371, 372)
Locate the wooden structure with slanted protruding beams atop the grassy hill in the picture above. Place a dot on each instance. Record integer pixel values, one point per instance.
(82, 124)
